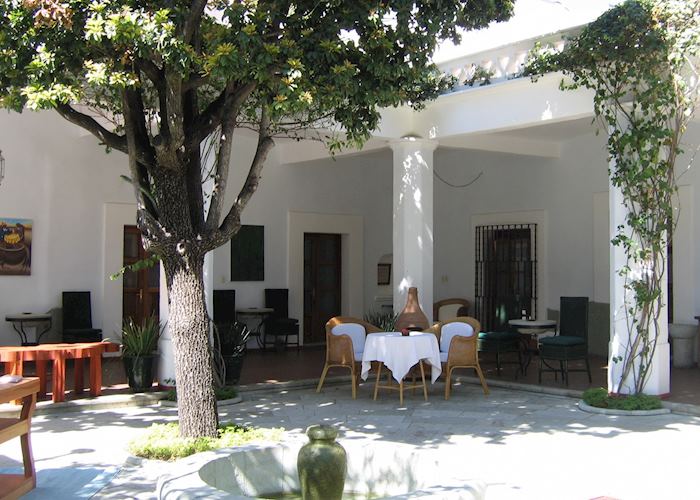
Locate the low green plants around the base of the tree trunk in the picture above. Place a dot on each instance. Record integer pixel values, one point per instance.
(163, 441)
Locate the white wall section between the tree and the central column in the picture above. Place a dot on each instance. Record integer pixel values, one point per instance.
(357, 186)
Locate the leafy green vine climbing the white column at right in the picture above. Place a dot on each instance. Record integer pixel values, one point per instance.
(640, 59)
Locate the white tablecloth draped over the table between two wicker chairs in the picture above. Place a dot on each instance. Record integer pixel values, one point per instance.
(400, 353)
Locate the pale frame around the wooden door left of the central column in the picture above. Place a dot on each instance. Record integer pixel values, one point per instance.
(351, 229)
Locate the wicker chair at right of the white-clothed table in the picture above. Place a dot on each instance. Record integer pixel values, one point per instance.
(457, 339)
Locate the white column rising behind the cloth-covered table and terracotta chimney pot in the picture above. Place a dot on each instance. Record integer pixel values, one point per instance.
(413, 221)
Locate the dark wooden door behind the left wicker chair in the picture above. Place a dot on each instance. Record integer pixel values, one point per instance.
(322, 260)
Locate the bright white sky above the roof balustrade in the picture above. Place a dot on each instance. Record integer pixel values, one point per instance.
(532, 18)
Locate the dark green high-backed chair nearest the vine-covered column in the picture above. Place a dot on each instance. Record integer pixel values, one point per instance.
(572, 342)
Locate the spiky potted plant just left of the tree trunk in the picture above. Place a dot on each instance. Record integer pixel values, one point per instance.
(139, 351)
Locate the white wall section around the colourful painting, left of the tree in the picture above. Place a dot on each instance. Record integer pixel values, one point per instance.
(59, 178)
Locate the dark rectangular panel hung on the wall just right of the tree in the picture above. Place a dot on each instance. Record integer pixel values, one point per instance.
(248, 254)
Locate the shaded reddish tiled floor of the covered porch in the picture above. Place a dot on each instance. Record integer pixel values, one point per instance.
(307, 363)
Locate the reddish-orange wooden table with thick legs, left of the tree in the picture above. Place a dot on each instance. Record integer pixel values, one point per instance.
(15, 356)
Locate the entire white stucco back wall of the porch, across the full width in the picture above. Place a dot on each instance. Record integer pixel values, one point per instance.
(62, 180)
